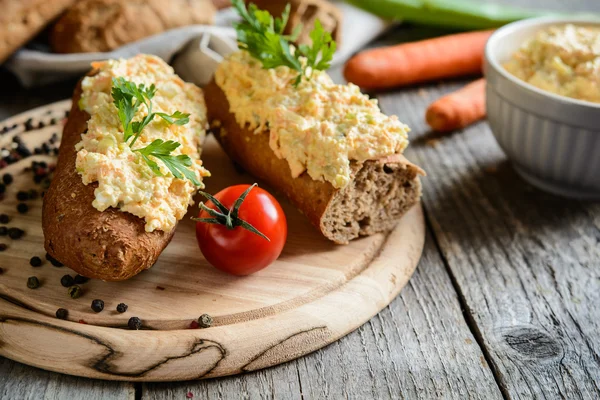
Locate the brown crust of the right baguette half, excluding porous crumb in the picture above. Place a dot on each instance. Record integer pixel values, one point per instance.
(313, 198)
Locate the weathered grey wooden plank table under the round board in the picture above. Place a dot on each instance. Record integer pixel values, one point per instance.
(505, 302)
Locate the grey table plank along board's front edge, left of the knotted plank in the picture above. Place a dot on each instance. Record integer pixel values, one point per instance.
(419, 347)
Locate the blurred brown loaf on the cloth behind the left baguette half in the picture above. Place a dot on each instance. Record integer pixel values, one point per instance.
(104, 25)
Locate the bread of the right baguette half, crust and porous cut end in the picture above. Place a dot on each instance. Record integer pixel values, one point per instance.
(380, 192)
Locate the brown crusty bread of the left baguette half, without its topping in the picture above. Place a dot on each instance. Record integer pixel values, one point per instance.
(110, 245)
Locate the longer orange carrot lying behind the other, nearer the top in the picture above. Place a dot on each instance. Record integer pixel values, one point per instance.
(426, 60)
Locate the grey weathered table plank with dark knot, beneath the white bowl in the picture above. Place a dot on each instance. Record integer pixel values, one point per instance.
(526, 264)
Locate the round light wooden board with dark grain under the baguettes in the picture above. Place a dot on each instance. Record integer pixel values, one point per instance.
(314, 294)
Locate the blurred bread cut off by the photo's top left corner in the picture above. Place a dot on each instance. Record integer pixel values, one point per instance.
(21, 20)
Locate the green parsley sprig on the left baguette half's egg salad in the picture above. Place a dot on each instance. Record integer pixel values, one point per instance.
(128, 98)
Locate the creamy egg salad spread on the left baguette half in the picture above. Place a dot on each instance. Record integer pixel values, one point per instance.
(125, 181)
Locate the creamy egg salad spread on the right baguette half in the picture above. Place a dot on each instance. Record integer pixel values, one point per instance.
(317, 127)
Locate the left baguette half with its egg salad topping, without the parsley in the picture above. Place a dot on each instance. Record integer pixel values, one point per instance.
(96, 171)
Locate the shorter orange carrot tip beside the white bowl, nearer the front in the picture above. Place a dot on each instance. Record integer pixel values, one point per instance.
(459, 109)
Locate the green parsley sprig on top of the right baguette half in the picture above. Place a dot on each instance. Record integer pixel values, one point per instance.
(262, 36)
